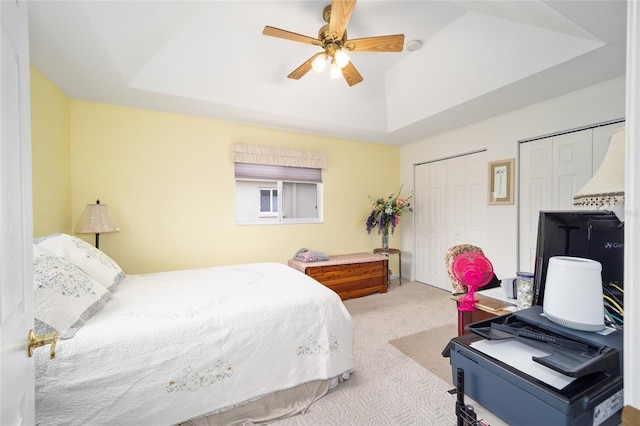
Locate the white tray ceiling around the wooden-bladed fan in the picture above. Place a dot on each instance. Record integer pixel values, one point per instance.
(209, 58)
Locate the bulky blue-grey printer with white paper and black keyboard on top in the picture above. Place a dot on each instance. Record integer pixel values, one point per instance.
(528, 370)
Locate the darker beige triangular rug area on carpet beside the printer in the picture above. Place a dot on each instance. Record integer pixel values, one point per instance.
(425, 348)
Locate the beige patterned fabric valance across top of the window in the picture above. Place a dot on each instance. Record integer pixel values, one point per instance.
(277, 156)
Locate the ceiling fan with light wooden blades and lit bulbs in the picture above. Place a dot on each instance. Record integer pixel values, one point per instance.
(332, 38)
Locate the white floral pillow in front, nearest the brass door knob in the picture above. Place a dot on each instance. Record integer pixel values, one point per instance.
(64, 296)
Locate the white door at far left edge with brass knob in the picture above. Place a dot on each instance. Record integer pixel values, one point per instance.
(16, 288)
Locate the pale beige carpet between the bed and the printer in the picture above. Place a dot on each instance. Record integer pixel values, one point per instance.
(388, 387)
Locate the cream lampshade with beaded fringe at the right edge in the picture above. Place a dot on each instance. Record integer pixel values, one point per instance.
(606, 188)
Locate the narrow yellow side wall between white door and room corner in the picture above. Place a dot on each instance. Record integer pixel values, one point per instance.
(51, 157)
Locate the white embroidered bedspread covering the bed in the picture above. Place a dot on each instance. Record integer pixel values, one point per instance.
(172, 346)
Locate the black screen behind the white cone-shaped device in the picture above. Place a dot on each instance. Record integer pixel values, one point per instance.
(591, 234)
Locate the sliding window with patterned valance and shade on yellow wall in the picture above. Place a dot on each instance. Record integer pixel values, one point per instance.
(277, 185)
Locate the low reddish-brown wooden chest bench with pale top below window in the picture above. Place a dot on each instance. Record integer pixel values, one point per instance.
(349, 275)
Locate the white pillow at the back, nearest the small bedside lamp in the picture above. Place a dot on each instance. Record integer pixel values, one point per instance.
(94, 262)
